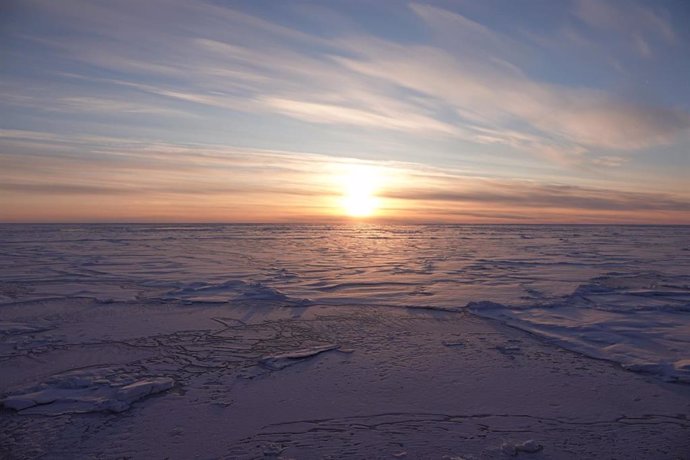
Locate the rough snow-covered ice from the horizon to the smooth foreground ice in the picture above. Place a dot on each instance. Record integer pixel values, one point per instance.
(615, 292)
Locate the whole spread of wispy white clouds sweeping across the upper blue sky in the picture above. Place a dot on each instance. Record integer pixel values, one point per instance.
(466, 81)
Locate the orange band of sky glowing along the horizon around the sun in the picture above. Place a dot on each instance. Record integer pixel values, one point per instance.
(201, 184)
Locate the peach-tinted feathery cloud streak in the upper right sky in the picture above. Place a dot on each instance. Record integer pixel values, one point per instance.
(484, 83)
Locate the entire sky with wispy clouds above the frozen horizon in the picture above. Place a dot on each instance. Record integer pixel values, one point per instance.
(528, 111)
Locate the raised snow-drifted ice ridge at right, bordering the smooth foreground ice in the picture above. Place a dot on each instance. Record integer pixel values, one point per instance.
(640, 321)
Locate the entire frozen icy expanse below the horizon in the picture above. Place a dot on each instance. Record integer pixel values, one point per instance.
(344, 341)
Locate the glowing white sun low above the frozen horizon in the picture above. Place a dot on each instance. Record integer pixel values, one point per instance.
(360, 184)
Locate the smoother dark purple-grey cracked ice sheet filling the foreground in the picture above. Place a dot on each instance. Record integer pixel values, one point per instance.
(217, 381)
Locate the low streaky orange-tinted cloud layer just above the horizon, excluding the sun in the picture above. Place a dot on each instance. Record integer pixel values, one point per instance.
(277, 185)
